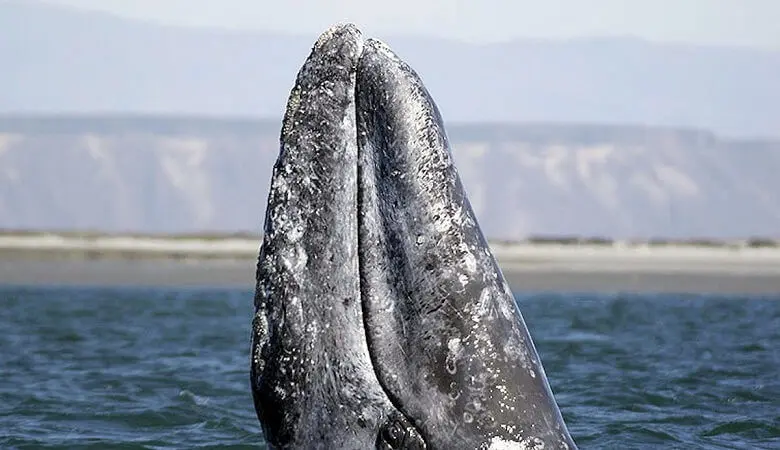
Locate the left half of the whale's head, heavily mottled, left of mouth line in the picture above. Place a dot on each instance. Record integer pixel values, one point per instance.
(312, 379)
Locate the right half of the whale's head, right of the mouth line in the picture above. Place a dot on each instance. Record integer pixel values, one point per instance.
(446, 338)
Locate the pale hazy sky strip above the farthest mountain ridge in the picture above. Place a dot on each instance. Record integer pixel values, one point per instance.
(730, 22)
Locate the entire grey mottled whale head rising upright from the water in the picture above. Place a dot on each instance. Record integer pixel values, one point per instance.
(382, 319)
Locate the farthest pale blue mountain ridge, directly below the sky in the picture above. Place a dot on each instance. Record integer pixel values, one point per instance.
(56, 59)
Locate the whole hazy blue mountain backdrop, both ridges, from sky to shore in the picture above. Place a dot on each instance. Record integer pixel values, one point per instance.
(140, 173)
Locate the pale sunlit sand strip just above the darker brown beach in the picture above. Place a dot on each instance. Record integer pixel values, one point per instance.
(608, 257)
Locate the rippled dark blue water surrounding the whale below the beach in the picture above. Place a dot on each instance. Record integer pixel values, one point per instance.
(166, 368)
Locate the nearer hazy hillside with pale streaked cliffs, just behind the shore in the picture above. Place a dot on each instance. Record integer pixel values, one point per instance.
(153, 174)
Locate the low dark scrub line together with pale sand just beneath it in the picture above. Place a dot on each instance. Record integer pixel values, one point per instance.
(91, 245)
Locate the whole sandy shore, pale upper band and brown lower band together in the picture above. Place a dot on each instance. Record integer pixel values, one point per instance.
(145, 261)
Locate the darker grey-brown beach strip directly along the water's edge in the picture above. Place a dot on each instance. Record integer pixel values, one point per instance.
(235, 274)
